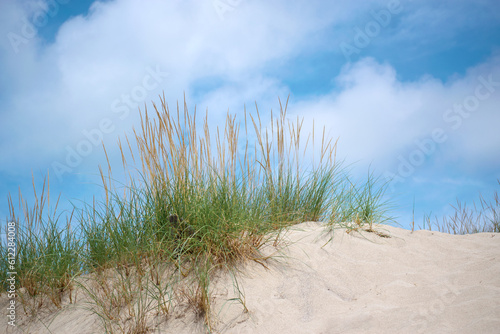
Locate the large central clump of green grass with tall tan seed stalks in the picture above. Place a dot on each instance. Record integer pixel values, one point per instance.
(201, 205)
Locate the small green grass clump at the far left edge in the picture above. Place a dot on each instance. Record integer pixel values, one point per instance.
(46, 253)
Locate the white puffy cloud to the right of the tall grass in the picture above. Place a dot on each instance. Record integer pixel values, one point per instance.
(379, 117)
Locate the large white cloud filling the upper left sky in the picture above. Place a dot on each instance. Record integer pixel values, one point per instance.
(64, 88)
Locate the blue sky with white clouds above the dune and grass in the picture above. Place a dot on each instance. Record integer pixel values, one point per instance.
(411, 88)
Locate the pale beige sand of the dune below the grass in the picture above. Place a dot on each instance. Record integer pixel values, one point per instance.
(412, 282)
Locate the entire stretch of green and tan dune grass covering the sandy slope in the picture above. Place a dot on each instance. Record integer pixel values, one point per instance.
(196, 203)
